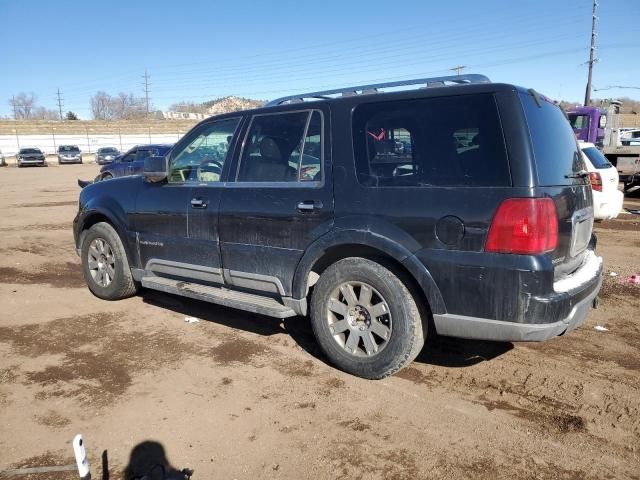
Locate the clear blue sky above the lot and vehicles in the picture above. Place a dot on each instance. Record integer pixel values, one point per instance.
(200, 50)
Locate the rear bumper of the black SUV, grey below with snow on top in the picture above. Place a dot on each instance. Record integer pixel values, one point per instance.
(576, 292)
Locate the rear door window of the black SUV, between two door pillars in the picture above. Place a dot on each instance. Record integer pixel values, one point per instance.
(283, 147)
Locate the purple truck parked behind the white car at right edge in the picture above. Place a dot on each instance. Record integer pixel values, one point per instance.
(601, 126)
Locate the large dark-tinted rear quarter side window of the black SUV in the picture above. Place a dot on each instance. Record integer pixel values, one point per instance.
(446, 141)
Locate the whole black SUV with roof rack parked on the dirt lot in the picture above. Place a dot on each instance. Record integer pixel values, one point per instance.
(463, 210)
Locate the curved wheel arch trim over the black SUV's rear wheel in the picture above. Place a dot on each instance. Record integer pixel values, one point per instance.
(367, 238)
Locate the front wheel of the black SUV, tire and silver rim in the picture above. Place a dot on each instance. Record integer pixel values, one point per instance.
(108, 276)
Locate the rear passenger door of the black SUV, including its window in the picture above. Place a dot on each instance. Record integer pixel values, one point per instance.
(280, 202)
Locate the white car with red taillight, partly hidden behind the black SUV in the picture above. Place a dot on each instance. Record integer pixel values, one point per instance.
(607, 198)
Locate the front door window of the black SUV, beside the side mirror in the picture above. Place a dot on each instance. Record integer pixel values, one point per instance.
(202, 157)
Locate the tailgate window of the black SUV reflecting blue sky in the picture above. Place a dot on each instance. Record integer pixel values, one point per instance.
(554, 143)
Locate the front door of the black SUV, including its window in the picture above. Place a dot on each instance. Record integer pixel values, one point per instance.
(177, 220)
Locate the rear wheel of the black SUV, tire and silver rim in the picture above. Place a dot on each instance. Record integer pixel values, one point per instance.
(402, 322)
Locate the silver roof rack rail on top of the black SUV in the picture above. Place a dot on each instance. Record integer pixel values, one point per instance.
(376, 87)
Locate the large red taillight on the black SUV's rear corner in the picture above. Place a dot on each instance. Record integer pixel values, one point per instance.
(525, 226)
